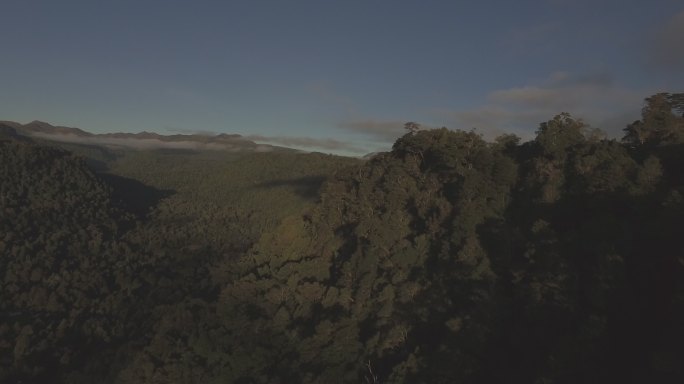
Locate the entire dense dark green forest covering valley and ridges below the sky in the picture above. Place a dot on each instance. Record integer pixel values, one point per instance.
(449, 259)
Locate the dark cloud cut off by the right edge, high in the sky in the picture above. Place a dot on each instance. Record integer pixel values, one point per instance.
(667, 46)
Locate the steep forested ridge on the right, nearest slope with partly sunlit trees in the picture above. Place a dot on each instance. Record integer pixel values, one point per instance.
(455, 260)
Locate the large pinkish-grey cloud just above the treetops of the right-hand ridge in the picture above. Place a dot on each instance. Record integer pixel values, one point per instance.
(592, 97)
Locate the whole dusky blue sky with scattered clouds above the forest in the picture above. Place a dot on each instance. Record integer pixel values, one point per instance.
(335, 76)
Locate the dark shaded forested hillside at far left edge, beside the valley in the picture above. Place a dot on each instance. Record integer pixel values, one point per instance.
(62, 263)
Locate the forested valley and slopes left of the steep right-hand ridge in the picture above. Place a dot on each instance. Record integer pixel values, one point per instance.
(92, 263)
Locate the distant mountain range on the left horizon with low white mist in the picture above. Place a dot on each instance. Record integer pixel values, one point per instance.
(143, 140)
